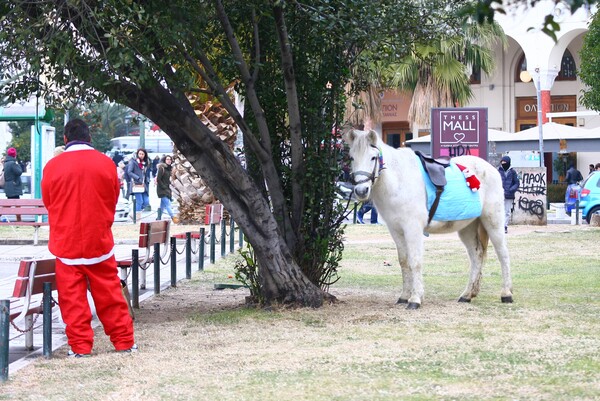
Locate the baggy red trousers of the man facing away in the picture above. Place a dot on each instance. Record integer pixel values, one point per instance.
(104, 284)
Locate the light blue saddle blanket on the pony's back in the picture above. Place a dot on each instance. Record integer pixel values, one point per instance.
(457, 202)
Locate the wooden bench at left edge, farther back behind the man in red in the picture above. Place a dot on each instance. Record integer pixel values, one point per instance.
(24, 212)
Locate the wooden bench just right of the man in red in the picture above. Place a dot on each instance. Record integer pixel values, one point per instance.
(155, 232)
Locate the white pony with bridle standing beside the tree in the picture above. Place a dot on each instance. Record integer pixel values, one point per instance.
(393, 180)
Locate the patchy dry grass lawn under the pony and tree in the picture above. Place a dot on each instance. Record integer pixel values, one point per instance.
(200, 344)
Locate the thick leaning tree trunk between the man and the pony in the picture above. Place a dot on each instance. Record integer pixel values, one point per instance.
(280, 276)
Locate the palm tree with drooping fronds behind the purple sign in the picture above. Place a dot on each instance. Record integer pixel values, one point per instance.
(438, 73)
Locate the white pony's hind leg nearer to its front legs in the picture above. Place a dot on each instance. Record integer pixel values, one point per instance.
(476, 244)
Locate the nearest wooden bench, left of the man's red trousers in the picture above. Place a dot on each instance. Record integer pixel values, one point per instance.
(27, 297)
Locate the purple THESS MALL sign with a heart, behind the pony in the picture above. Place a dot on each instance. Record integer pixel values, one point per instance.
(459, 131)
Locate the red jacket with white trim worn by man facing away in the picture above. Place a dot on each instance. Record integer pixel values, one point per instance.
(80, 189)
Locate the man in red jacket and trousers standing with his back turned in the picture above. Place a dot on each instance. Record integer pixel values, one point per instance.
(80, 189)
